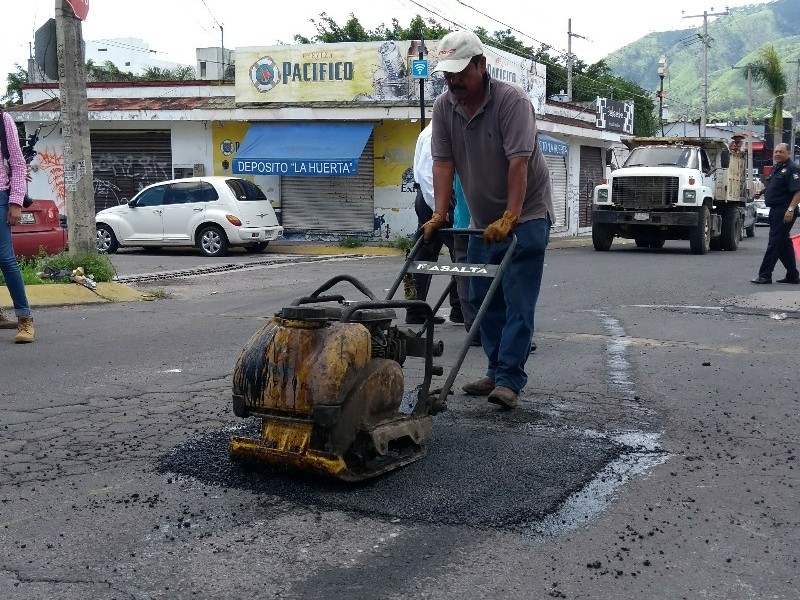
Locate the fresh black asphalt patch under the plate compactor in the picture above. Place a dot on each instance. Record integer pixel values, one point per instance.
(503, 474)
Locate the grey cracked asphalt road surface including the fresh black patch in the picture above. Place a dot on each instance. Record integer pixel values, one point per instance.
(654, 453)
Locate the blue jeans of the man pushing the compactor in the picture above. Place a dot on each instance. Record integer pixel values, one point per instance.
(507, 326)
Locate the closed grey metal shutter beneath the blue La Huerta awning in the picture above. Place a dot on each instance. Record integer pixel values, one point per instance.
(331, 204)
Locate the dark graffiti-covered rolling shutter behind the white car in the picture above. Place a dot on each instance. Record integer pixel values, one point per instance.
(124, 162)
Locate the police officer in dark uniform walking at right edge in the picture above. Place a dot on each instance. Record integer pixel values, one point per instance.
(782, 196)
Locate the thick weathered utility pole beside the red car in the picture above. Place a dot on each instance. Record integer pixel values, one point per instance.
(78, 182)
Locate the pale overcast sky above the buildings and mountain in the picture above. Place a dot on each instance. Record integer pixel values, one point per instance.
(174, 28)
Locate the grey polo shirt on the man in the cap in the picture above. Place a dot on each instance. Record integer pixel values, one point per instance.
(503, 128)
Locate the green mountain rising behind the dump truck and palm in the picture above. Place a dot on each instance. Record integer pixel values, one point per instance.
(736, 39)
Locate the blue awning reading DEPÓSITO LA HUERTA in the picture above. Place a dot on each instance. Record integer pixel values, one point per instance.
(302, 149)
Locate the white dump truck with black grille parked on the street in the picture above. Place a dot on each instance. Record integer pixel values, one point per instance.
(676, 189)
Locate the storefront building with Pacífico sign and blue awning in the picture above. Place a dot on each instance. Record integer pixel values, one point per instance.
(328, 131)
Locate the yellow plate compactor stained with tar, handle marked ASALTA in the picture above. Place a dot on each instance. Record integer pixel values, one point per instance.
(325, 377)
